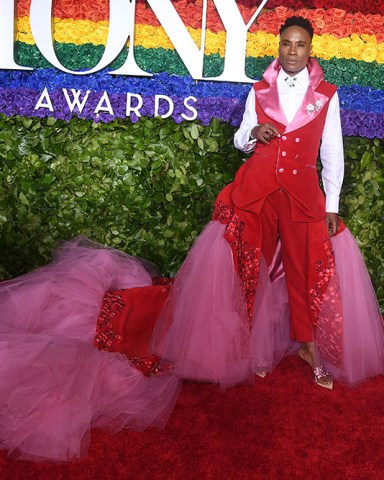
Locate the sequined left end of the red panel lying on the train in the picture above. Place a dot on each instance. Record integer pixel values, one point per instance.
(111, 307)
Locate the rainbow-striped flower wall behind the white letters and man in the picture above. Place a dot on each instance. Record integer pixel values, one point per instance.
(349, 43)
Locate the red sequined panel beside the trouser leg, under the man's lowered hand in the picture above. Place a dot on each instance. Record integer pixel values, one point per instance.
(327, 306)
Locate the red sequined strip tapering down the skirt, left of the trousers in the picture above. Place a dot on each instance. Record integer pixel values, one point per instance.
(247, 257)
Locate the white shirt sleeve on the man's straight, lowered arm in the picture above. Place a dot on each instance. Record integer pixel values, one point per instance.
(332, 156)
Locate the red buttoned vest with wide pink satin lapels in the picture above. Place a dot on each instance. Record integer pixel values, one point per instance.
(288, 161)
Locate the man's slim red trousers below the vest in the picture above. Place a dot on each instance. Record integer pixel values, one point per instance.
(276, 222)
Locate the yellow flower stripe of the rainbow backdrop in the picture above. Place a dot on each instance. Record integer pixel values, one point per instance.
(259, 44)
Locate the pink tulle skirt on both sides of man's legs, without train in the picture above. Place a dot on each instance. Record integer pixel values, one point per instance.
(205, 332)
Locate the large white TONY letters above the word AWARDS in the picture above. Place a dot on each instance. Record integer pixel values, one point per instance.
(122, 28)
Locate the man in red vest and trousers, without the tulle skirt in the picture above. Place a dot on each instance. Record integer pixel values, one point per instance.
(287, 115)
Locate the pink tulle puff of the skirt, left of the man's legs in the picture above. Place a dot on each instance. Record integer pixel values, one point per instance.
(203, 329)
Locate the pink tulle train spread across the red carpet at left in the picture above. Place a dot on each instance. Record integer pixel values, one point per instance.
(55, 385)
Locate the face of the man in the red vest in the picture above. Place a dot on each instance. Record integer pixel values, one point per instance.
(294, 49)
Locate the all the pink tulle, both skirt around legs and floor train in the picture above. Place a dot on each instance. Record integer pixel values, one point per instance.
(56, 385)
